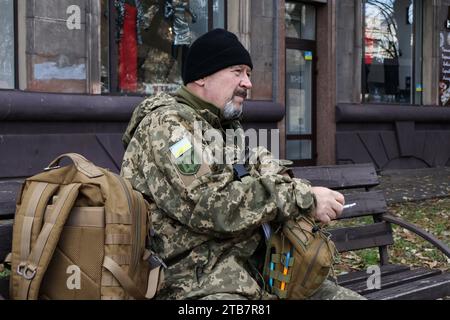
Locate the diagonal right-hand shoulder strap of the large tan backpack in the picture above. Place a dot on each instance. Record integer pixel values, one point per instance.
(32, 271)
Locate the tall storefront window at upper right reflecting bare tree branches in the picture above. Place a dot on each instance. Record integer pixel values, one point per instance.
(392, 65)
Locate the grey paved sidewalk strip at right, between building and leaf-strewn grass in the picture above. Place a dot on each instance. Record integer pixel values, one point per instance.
(415, 184)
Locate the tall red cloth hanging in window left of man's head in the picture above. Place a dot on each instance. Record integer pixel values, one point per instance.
(128, 51)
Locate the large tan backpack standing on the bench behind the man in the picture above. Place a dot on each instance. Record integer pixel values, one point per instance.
(80, 232)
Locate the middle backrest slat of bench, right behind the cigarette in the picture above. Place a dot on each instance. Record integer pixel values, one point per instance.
(367, 203)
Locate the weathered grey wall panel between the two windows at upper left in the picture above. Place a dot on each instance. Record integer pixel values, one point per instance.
(61, 50)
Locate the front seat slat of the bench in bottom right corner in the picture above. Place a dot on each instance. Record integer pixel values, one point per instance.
(425, 289)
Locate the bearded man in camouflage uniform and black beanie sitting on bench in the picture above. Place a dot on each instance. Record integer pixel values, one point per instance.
(208, 217)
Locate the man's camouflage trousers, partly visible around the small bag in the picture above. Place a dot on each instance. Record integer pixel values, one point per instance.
(328, 291)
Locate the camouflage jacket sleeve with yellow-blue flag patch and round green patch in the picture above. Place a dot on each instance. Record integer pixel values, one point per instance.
(205, 196)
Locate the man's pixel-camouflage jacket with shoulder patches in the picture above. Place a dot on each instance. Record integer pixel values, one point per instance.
(207, 222)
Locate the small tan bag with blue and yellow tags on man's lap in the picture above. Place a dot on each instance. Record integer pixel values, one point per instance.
(299, 258)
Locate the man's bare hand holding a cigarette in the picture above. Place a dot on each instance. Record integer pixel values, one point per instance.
(329, 204)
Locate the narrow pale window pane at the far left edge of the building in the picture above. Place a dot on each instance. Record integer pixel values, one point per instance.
(6, 44)
